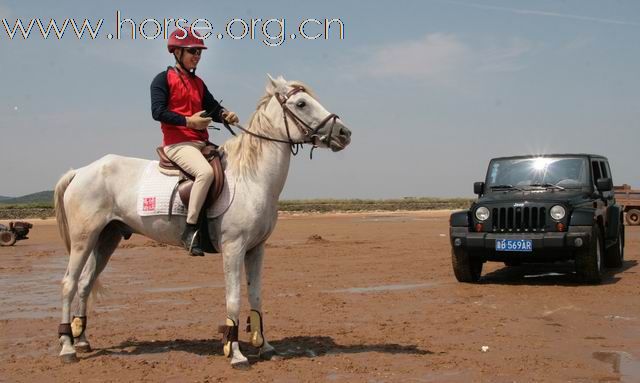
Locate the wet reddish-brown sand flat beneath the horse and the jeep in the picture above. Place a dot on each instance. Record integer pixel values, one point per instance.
(347, 298)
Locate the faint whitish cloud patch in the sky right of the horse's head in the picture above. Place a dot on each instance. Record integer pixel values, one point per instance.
(430, 57)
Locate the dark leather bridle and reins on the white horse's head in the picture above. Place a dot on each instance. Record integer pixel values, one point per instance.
(308, 131)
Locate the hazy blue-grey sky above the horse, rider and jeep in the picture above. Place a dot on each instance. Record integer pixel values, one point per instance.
(431, 89)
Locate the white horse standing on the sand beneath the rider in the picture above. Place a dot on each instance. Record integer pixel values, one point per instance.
(96, 206)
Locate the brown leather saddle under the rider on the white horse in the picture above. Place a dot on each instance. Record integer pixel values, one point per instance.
(185, 184)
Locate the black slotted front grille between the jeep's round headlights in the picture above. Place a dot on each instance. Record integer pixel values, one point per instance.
(519, 218)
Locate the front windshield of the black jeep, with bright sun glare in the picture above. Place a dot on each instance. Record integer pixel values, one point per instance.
(558, 173)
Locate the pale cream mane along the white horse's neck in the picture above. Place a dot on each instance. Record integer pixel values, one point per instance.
(243, 151)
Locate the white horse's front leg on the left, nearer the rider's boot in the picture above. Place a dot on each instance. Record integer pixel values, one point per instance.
(233, 258)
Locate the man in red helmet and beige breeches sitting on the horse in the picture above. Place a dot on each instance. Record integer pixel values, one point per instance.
(179, 100)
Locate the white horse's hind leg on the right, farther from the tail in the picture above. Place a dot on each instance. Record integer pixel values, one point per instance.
(107, 244)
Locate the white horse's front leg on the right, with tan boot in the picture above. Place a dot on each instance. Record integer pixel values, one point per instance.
(253, 269)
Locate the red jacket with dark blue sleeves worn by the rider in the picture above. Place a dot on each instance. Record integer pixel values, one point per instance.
(176, 95)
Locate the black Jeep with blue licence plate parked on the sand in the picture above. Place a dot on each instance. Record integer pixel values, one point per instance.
(533, 209)
